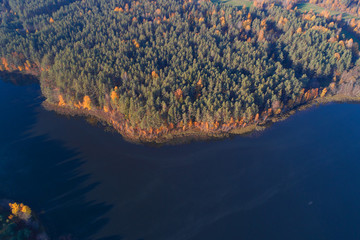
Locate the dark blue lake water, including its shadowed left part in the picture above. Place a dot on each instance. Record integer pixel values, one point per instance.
(300, 179)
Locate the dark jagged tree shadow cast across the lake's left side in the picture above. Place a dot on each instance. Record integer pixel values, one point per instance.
(45, 174)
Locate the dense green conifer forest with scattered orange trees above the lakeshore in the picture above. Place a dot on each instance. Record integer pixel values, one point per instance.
(172, 62)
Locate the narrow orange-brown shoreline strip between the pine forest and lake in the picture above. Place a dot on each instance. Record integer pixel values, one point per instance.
(179, 136)
